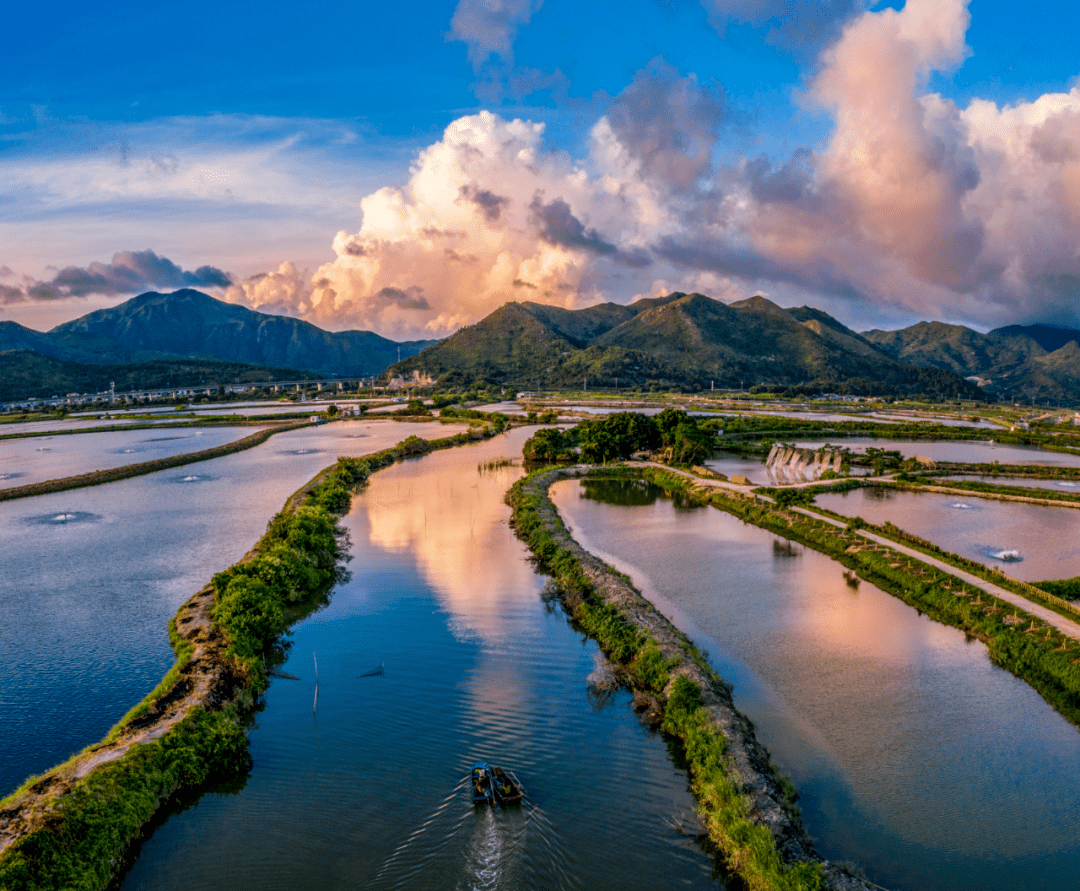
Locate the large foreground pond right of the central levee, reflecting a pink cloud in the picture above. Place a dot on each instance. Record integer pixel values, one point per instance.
(914, 757)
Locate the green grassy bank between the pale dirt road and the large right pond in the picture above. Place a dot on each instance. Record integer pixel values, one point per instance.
(1019, 643)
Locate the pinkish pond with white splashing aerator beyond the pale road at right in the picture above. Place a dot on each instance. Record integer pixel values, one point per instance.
(1029, 542)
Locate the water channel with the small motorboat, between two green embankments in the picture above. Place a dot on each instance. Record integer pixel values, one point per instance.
(368, 789)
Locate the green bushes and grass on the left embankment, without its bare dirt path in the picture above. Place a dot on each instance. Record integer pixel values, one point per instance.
(80, 843)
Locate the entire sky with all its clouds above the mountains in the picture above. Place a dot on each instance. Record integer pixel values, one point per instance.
(349, 165)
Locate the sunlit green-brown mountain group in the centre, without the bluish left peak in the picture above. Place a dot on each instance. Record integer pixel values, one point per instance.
(682, 341)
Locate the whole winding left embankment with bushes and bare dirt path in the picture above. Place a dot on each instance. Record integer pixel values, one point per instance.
(71, 829)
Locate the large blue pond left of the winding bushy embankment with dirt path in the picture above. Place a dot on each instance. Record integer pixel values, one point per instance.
(91, 578)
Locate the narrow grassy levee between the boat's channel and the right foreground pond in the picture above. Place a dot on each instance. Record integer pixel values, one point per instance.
(747, 806)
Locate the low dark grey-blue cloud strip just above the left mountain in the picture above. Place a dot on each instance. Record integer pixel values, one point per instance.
(130, 273)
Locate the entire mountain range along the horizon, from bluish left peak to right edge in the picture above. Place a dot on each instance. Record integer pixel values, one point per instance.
(687, 342)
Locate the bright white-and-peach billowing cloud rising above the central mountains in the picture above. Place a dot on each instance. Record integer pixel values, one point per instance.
(488, 213)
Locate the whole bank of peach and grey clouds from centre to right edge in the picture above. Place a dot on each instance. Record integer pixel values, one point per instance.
(914, 205)
